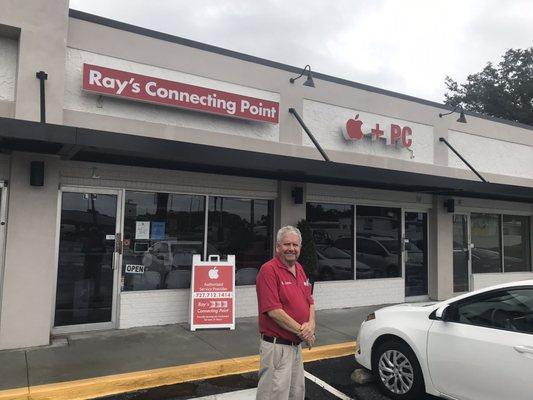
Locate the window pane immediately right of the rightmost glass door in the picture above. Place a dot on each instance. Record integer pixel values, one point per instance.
(485, 235)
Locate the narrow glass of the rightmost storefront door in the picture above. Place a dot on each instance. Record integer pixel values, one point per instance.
(461, 254)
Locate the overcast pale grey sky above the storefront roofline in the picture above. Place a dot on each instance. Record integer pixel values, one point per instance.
(406, 46)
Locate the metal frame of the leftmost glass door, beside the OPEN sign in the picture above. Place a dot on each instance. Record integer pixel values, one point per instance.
(117, 261)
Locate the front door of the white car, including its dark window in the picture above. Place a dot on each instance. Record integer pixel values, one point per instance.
(483, 349)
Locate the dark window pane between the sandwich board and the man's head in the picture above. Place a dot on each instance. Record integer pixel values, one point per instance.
(242, 227)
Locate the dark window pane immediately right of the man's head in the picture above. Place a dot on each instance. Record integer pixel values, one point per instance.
(332, 227)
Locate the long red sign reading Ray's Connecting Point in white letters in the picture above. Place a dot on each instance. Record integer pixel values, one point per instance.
(112, 82)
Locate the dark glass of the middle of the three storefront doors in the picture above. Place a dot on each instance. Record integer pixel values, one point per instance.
(416, 254)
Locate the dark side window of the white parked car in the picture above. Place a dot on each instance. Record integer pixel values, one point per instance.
(507, 309)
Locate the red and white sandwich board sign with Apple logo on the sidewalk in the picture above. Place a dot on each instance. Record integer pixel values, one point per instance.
(212, 302)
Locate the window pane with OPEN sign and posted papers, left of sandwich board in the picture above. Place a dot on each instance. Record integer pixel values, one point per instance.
(162, 231)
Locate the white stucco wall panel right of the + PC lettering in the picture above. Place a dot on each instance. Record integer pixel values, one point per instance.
(491, 155)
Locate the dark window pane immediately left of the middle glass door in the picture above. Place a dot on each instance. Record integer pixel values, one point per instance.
(378, 242)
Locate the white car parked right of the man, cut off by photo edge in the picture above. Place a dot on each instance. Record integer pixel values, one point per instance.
(476, 346)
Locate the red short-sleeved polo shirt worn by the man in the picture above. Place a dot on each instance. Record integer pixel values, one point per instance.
(278, 288)
